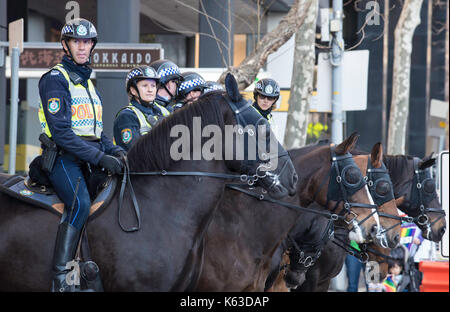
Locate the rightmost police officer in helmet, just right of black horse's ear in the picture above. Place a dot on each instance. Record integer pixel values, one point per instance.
(266, 94)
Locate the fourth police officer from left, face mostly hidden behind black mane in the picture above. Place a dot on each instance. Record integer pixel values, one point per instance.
(190, 89)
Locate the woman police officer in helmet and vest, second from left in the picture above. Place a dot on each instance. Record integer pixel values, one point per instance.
(143, 112)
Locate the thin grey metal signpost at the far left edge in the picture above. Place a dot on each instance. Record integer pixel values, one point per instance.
(14, 108)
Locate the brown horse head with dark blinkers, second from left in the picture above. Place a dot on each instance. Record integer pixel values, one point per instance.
(346, 193)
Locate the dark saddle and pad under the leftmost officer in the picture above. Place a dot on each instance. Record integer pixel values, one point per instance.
(22, 188)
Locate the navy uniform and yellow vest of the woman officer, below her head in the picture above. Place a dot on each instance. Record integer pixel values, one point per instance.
(135, 120)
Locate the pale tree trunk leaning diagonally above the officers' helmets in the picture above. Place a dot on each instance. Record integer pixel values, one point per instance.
(246, 72)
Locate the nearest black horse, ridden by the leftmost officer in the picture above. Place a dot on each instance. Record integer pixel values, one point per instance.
(166, 253)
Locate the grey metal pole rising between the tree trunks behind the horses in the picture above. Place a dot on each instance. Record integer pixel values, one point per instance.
(337, 51)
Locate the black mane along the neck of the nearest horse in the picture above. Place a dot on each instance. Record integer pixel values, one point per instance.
(152, 151)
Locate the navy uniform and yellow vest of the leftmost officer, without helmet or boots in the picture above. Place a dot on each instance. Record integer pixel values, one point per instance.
(66, 119)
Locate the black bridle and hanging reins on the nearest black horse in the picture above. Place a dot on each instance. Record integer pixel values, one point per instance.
(244, 116)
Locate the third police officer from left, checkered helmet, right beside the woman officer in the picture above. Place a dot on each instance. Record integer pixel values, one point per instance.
(169, 80)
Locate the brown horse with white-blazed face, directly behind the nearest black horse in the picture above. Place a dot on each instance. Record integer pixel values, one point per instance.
(245, 232)
